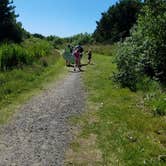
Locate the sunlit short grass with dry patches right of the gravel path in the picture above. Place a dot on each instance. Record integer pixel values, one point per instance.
(118, 127)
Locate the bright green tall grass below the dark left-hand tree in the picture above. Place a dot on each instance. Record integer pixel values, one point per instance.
(14, 55)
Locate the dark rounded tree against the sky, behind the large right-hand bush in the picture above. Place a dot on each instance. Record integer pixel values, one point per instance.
(117, 21)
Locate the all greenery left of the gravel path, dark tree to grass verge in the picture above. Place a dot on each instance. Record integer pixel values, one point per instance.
(26, 62)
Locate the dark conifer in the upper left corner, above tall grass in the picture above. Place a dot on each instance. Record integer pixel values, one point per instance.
(10, 29)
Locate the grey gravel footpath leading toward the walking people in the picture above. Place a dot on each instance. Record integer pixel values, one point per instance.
(39, 133)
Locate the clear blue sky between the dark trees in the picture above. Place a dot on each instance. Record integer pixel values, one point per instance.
(61, 18)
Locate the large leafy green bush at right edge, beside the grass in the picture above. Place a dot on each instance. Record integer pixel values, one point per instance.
(144, 53)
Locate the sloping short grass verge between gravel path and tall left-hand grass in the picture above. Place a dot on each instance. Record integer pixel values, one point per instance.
(18, 85)
